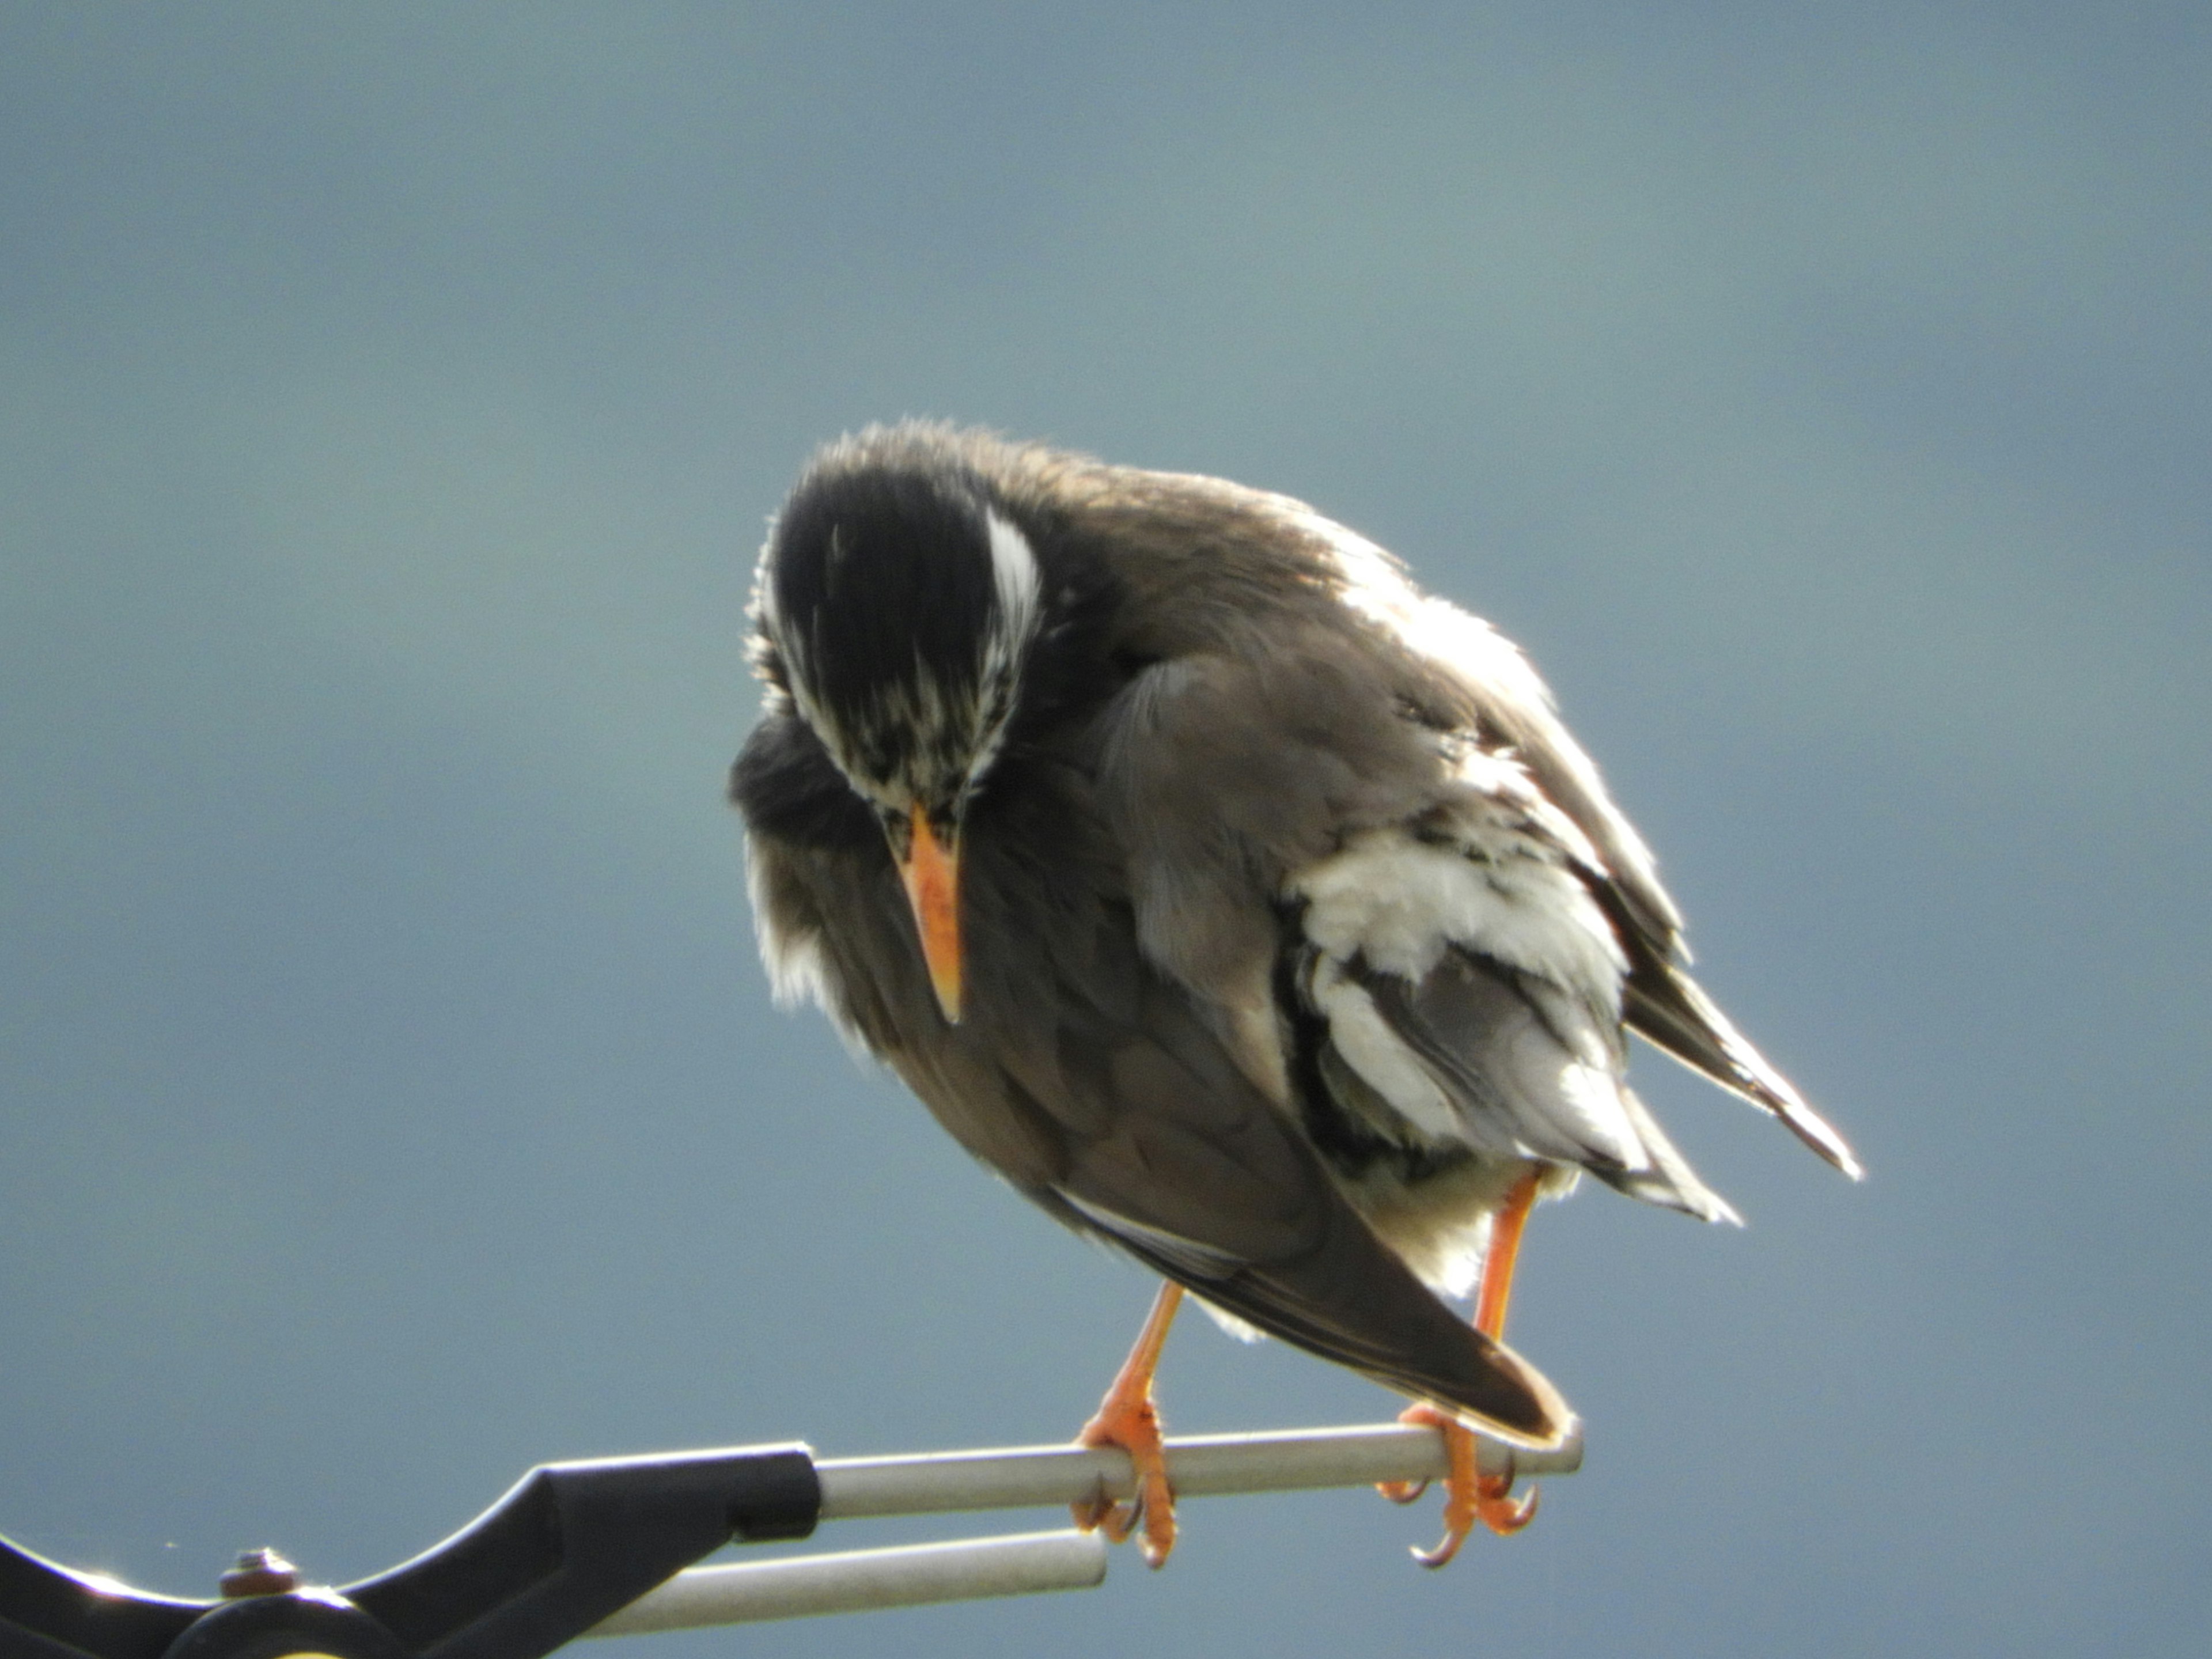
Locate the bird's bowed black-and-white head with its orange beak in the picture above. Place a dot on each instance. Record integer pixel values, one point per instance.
(897, 605)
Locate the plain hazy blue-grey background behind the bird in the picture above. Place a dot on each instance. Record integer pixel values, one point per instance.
(390, 406)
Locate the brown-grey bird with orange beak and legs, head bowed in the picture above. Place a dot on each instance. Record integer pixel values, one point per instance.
(1235, 901)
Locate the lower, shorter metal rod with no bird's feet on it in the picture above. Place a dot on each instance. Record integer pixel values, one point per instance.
(864, 1580)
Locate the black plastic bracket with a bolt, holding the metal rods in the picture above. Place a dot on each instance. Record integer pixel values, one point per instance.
(556, 1556)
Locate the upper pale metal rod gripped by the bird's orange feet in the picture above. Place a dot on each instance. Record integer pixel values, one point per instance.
(1200, 1465)
